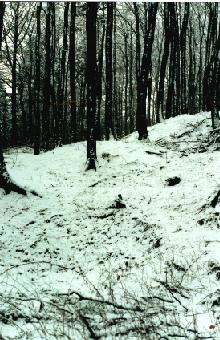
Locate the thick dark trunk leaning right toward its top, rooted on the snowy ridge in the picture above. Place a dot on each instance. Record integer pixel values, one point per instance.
(142, 88)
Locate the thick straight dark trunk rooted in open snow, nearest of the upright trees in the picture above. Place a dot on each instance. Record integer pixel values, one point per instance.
(91, 15)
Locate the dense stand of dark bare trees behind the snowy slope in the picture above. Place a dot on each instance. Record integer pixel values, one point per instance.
(76, 71)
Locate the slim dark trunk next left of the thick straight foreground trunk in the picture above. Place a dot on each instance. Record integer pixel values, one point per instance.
(72, 67)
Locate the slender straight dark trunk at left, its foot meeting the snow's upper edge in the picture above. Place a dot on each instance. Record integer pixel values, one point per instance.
(37, 84)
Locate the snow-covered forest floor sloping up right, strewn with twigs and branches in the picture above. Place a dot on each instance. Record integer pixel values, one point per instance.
(131, 250)
